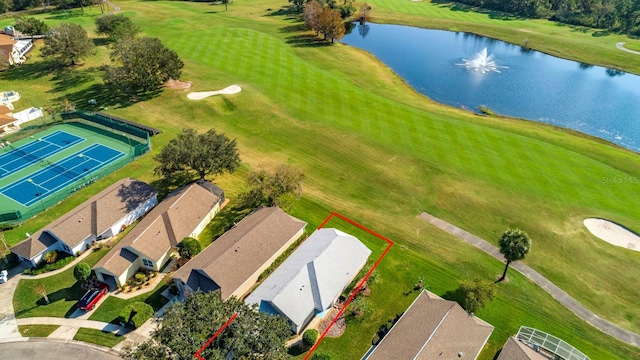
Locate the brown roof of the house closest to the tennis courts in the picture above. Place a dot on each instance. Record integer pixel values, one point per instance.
(92, 217)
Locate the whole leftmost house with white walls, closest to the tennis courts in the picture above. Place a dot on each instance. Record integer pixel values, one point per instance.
(102, 216)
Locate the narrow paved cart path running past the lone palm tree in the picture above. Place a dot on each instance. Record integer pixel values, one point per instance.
(557, 293)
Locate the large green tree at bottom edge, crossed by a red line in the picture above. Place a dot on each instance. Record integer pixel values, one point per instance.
(186, 326)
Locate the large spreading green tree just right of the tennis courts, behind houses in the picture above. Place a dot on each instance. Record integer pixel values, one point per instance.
(210, 153)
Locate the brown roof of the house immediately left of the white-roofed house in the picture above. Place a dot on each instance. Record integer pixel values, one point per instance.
(236, 255)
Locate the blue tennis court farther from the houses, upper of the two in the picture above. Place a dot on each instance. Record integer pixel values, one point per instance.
(37, 150)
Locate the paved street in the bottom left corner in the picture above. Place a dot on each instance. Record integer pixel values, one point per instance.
(53, 350)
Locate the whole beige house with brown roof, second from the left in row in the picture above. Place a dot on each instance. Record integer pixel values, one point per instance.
(183, 213)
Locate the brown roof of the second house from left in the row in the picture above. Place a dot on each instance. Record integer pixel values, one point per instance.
(165, 226)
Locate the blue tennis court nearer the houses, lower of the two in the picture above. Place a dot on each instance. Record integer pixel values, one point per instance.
(55, 176)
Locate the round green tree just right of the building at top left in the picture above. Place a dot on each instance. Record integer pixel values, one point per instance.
(67, 44)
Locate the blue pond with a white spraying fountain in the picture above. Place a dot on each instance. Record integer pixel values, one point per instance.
(528, 84)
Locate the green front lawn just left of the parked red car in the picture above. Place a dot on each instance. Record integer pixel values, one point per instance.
(62, 289)
